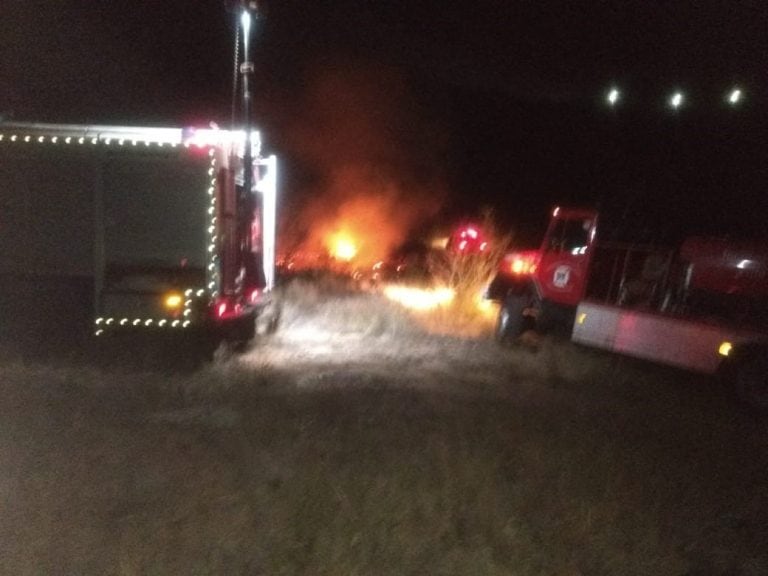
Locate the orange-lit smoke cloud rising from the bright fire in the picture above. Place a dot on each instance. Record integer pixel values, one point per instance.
(372, 160)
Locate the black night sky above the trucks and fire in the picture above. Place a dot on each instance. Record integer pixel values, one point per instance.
(475, 103)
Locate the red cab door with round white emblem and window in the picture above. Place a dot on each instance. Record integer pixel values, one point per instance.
(565, 255)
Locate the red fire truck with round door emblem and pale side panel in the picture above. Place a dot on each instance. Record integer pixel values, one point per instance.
(702, 306)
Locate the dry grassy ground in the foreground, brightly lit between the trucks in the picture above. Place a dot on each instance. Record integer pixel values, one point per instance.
(354, 443)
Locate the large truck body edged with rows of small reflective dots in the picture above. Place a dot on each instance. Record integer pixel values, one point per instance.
(148, 229)
